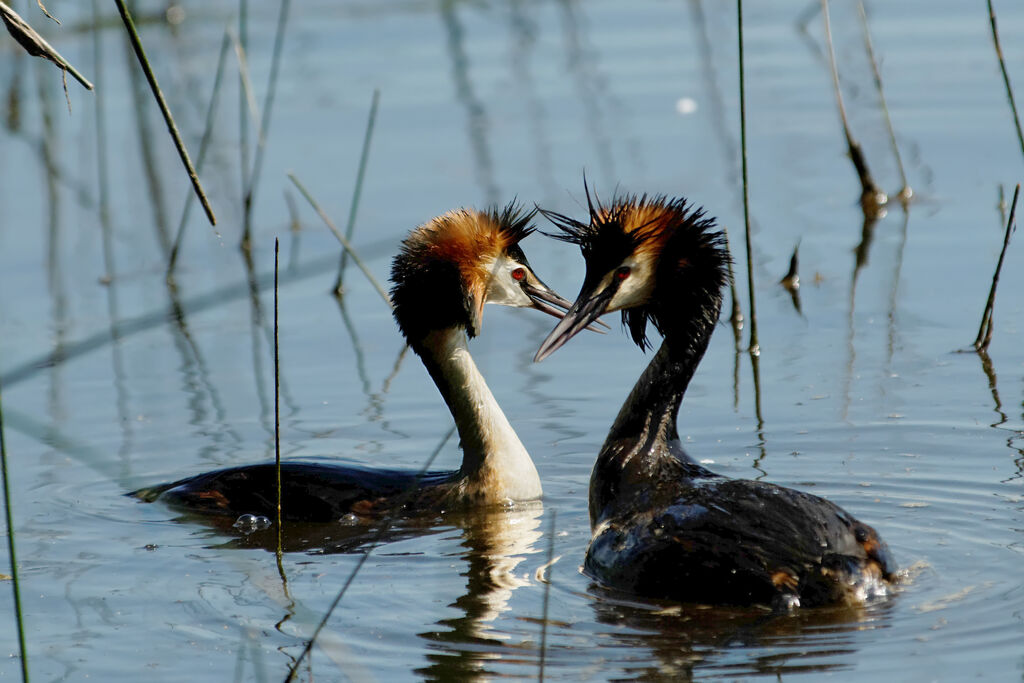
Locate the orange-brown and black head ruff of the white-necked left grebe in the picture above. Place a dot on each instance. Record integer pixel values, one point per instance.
(443, 273)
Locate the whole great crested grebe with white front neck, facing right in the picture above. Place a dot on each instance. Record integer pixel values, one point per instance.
(446, 272)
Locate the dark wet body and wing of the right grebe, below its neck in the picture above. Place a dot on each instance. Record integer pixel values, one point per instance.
(740, 542)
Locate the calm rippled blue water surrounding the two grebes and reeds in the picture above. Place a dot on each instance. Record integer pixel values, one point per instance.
(864, 397)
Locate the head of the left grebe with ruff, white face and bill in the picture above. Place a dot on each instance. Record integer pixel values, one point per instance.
(452, 266)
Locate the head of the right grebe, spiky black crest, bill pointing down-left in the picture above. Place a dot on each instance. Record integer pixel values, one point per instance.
(647, 257)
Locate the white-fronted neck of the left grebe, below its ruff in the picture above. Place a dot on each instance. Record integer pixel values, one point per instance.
(496, 466)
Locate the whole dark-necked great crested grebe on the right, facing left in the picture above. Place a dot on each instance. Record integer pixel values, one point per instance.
(663, 526)
